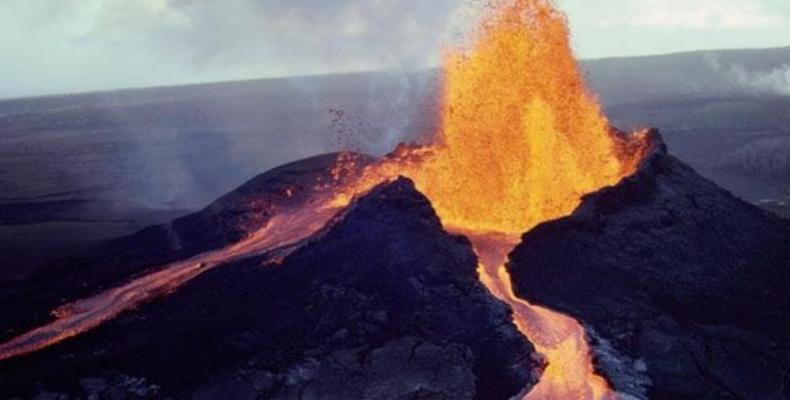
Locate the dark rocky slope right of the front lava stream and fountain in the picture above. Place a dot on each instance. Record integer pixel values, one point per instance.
(682, 286)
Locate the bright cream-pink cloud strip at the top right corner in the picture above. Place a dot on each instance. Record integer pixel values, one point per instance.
(701, 15)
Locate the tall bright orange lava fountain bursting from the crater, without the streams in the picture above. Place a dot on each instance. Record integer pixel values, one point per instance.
(521, 139)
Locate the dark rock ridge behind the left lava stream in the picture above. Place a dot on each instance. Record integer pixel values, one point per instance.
(225, 221)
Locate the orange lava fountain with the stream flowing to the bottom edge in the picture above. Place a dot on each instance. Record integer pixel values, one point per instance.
(522, 142)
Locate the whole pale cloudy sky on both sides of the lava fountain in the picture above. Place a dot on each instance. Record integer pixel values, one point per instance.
(68, 46)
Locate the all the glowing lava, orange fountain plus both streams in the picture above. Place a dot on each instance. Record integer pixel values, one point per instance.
(521, 140)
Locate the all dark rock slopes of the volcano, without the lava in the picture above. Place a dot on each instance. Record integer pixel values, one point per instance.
(669, 274)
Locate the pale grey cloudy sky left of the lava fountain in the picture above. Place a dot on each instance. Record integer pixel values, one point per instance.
(102, 44)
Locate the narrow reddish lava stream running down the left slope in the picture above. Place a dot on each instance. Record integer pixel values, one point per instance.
(282, 232)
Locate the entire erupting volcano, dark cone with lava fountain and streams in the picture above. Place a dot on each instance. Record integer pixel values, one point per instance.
(529, 251)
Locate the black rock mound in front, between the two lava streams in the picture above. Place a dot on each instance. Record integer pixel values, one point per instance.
(383, 305)
